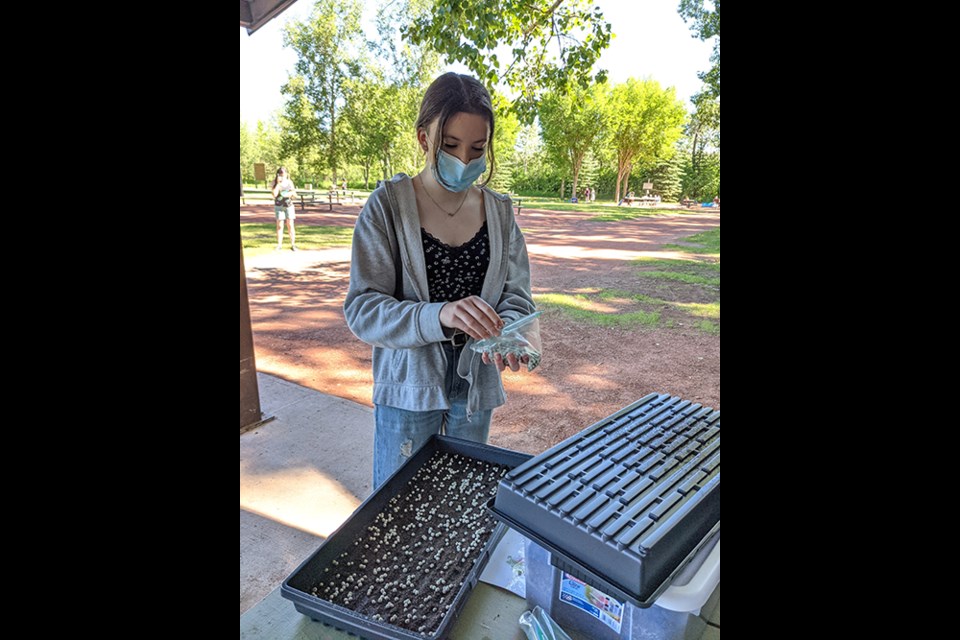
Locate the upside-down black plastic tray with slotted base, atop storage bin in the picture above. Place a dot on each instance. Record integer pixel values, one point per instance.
(624, 504)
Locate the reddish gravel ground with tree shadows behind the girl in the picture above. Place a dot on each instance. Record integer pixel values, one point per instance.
(588, 372)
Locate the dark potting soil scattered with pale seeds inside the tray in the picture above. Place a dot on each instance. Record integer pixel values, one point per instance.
(410, 562)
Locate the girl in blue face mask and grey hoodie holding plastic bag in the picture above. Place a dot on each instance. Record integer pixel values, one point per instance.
(438, 262)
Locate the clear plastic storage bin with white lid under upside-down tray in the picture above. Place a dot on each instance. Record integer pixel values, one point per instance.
(575, 605)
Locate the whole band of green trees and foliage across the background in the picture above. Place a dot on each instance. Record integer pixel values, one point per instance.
(352, 102)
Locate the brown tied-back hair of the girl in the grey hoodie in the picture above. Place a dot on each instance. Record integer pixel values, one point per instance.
(454, 93)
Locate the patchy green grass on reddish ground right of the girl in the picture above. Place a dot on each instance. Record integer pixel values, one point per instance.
(668, 293)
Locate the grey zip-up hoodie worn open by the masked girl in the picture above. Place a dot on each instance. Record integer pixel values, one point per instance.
(409, 363)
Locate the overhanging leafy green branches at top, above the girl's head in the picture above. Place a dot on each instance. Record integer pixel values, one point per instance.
(553, 44)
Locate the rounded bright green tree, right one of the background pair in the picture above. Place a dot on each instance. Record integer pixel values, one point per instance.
(644, 121)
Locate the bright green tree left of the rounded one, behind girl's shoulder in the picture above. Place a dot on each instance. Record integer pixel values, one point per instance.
(571, 122)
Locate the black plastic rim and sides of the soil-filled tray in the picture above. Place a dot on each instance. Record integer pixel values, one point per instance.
(297, 587)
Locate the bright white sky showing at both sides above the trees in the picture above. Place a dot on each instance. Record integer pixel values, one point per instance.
(651, 41)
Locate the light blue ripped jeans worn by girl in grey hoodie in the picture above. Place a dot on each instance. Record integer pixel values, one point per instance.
(400, 433)
